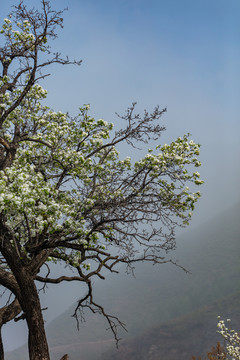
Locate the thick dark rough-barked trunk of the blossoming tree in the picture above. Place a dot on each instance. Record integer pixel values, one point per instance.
(21, 283)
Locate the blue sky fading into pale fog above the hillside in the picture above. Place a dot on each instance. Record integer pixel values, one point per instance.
(183, 55)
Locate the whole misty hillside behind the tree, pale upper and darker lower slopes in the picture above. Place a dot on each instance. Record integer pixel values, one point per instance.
(161, 300)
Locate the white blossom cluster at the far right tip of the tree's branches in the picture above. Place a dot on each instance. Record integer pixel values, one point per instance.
(169, 167)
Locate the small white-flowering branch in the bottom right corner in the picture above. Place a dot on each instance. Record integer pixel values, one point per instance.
(231, 337)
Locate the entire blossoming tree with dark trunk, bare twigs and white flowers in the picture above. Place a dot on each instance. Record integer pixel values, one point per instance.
(66, 194)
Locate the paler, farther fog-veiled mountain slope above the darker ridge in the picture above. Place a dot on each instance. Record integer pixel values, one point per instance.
(158, 293)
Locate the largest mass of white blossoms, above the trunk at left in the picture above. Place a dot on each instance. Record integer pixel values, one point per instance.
(31, 194)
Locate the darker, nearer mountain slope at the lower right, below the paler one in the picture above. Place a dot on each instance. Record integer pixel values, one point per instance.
(179, 339)
